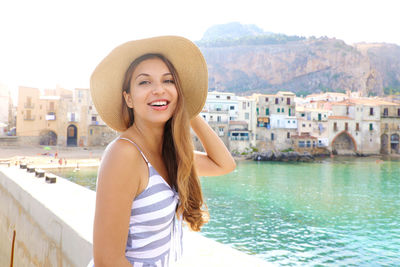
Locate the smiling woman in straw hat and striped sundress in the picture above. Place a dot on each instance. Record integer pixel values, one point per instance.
(152, 91)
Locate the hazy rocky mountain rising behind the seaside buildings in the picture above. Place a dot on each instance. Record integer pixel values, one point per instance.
(249, 60)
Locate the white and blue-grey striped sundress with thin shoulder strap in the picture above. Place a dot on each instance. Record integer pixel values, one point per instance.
(155, 232)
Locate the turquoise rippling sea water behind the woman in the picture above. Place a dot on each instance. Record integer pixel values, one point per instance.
(336, 212)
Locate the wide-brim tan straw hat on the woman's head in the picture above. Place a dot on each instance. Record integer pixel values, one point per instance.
(106, 80)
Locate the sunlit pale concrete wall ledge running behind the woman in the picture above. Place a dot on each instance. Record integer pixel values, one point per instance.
(54, 222)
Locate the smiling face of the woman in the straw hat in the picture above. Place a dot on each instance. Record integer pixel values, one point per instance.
(153, 94)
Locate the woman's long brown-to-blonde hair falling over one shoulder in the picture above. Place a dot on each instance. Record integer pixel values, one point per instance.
(177, 150)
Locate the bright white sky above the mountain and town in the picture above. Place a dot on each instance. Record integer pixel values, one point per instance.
(45, 43)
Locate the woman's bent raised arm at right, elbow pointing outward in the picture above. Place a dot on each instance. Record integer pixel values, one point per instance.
(217, 160)
